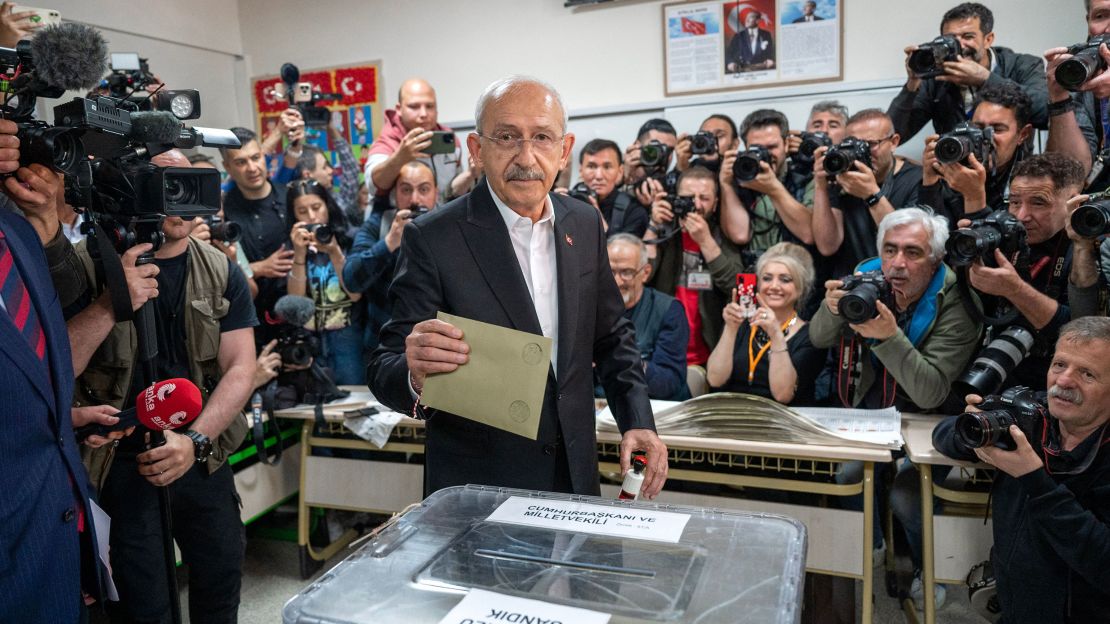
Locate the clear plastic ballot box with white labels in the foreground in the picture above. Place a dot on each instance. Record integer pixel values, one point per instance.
(534, 557)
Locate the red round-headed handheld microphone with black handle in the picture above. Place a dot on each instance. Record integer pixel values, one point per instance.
(166, 405)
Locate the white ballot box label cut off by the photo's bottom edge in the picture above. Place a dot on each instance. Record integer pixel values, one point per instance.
(480, 607)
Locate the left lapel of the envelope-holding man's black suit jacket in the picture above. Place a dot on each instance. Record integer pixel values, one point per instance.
(488, 239)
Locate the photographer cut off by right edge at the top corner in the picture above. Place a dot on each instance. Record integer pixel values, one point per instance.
(1075, 122)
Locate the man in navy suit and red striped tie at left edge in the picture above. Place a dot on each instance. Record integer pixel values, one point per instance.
(47, 539)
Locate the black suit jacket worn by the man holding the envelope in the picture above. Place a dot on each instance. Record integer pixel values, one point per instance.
(460, 259)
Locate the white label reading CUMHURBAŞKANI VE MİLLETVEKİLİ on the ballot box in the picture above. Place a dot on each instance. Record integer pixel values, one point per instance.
(583, 518)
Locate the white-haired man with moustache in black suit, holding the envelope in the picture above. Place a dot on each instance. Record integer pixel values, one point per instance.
(512, 255)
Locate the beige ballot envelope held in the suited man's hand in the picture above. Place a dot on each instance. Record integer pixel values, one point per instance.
(502, 385)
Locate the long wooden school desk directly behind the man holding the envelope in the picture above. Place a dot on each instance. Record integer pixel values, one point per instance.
(344, 484)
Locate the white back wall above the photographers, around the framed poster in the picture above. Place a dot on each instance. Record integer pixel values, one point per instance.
(600, 58)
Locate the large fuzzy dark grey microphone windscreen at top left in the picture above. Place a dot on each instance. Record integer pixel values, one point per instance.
(69, 56)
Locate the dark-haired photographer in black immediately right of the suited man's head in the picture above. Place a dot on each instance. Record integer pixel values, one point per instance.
(600, 168)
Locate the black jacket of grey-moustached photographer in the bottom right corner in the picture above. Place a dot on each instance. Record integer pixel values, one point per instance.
(1052, 534)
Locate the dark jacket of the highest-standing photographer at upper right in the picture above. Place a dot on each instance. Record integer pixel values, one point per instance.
(943, 105)
